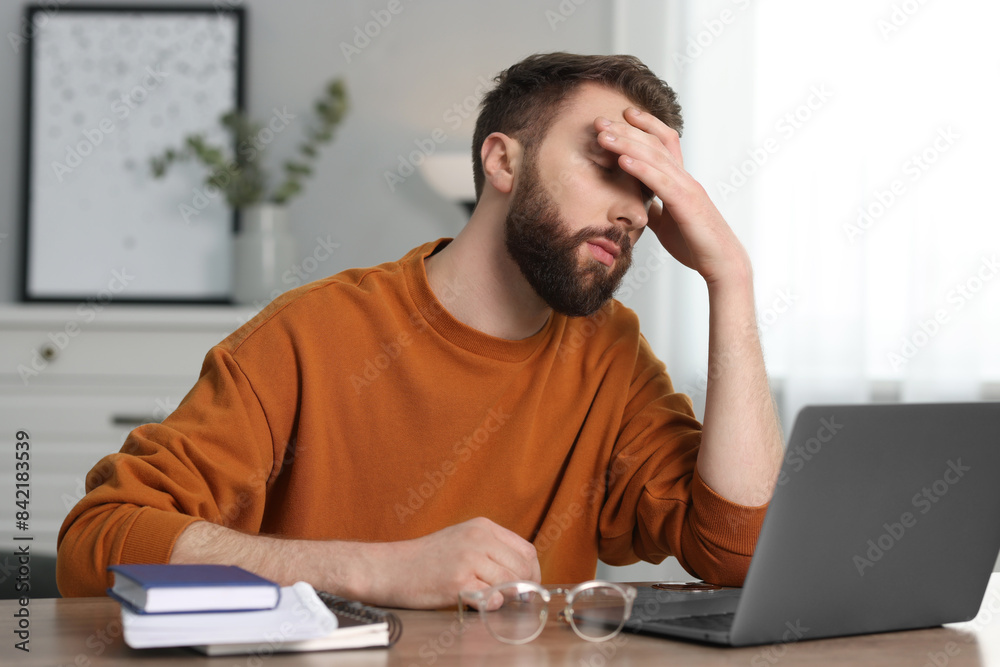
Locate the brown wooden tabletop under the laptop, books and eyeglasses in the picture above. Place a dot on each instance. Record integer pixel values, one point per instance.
(87, 631)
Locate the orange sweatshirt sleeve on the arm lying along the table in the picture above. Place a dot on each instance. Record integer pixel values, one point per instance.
(210, 459)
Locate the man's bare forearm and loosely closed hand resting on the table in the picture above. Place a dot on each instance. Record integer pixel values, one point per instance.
(426, 572)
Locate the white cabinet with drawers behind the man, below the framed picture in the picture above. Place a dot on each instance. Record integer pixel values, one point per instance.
(77, 381)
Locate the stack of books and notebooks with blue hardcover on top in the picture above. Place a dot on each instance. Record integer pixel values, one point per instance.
(225, 610)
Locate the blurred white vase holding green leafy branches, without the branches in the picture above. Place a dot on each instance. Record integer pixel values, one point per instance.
(264, 249)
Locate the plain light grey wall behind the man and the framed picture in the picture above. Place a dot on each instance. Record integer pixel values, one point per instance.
(429, 57)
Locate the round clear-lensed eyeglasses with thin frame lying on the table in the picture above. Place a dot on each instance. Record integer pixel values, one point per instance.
(596, 610)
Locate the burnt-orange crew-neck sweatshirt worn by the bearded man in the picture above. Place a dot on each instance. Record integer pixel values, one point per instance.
(357, 408)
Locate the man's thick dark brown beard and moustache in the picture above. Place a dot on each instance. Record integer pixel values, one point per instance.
(548, 255)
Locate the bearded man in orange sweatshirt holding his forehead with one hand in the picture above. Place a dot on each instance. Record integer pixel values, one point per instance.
(479, 411)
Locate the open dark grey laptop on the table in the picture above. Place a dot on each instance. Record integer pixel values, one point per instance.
(885, 517)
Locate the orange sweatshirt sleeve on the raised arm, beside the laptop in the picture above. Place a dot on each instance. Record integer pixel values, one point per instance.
(657, 505)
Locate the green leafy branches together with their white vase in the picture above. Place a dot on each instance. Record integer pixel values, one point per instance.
(264, 246)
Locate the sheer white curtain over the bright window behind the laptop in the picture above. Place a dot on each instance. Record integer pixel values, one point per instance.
(853, 146)
